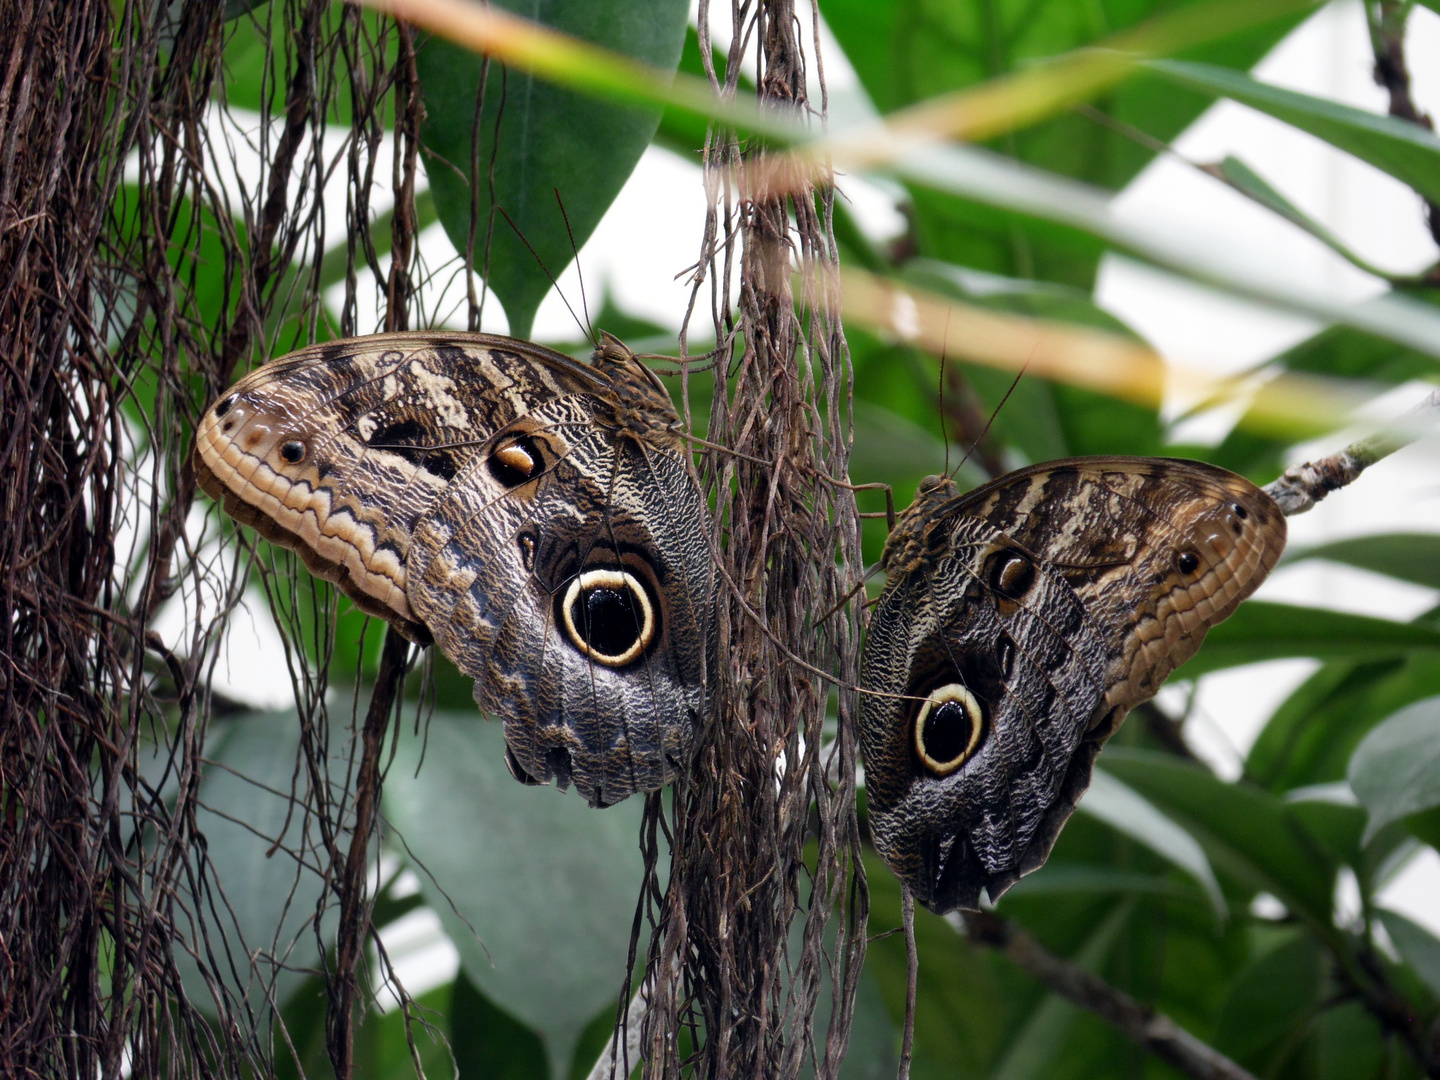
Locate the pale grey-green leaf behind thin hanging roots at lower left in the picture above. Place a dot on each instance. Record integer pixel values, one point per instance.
(260, 908)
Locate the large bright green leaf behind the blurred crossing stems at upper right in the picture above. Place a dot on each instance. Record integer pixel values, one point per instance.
(906, 51)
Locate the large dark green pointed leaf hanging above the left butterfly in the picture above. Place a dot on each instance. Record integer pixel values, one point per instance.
(549, 139)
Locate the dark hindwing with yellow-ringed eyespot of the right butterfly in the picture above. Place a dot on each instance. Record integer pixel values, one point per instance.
(961, 783)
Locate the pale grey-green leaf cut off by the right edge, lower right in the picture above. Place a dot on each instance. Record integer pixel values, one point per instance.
(1396, 770)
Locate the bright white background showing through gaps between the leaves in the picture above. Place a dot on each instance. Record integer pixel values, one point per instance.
(653, 234)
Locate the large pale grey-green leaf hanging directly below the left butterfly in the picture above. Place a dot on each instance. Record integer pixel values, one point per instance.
(536, 889)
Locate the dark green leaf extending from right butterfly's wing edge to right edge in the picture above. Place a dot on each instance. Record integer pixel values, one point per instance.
(1262, 630)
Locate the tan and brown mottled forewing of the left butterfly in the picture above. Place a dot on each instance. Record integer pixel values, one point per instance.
(371, 414)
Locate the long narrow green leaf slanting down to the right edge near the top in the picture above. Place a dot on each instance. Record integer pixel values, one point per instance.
(1405, 150)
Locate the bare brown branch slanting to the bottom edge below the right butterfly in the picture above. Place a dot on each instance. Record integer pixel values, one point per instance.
(1141, 1025)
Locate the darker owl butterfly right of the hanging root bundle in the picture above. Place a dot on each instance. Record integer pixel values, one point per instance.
(1019, 626)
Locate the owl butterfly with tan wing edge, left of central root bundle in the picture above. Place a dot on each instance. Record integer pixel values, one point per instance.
(531, 515)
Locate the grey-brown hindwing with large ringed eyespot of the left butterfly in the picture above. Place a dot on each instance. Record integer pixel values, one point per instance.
(577, 593)
